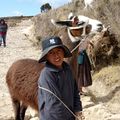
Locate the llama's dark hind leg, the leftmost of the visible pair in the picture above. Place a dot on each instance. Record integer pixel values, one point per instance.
(16, 105)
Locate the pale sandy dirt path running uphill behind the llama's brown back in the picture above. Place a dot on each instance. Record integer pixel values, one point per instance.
(17, 47)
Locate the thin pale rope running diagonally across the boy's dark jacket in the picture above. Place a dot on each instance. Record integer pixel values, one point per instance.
(61, 102)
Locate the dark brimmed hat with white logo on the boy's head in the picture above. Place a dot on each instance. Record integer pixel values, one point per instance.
(50, 43)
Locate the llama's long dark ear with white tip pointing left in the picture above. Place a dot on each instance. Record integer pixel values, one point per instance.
(67, 23)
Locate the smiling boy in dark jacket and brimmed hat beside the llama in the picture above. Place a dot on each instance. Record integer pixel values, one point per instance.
(56, 79)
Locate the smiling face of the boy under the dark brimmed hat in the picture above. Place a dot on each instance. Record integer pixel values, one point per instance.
(56, 56)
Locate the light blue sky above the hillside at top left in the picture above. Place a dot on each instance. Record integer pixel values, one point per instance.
(26, 7)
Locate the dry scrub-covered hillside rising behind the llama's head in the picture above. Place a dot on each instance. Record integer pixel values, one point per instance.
(105, 11)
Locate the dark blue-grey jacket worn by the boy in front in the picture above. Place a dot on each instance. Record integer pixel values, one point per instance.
(61, 83)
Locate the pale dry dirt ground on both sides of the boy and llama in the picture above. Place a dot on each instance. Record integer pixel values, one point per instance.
(101, 103)
